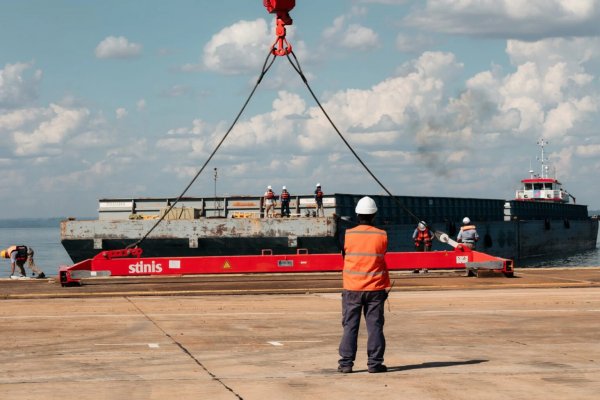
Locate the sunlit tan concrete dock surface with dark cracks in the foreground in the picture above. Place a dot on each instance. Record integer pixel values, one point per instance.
(448, 337)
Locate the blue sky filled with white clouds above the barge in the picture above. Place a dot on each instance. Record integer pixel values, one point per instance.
(128, 98)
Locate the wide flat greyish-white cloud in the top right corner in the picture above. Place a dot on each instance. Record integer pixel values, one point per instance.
(524, 19)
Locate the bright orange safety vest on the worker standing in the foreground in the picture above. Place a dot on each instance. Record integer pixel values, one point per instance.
(364, 261)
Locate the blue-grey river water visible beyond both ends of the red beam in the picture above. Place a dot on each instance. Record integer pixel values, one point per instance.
(49, 253)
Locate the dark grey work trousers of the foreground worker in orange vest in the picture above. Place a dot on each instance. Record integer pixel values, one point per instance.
(371, 303)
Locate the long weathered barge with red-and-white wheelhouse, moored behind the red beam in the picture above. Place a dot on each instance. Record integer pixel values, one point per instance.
(540, 221)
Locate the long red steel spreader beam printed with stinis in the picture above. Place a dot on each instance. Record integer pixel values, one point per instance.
(129, 262)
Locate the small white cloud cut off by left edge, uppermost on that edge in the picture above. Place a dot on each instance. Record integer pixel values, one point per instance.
(17, 87)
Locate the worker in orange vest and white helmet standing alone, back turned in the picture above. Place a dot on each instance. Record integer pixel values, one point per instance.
(366, 283)
